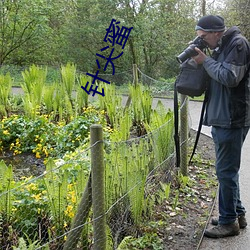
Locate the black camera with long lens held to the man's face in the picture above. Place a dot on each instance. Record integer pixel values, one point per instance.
(190, 51)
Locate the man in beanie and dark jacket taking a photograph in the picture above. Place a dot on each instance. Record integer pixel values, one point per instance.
(228, 112)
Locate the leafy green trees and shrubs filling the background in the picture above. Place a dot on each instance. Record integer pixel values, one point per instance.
(50, 32)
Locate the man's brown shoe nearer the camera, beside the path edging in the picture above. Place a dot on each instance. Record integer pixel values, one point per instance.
(221, 231)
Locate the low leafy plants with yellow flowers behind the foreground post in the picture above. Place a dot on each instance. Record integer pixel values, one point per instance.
(45, 138)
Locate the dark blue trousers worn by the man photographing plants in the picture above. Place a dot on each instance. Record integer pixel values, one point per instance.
(228, 145)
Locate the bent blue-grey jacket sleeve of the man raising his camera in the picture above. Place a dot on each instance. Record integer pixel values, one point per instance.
(234, 66)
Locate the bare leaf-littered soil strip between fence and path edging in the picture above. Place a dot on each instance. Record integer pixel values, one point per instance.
(186, 223)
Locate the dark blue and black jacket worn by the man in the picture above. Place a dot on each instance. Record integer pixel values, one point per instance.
(229, 90)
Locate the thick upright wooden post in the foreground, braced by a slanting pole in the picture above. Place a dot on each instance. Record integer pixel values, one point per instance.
(98, 185)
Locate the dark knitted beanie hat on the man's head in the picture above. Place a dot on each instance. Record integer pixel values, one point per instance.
(210, 23)
